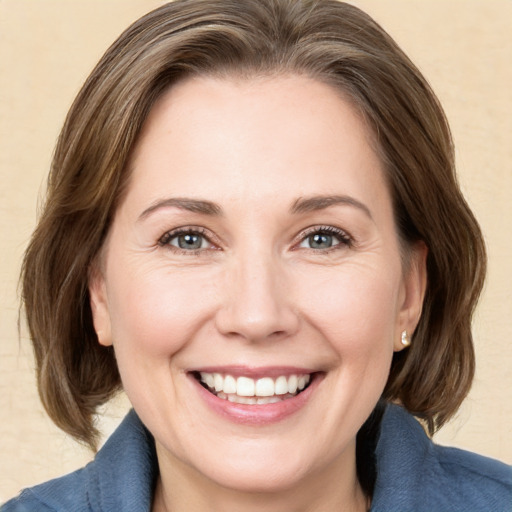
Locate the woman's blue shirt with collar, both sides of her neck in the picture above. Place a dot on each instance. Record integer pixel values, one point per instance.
(413, 475)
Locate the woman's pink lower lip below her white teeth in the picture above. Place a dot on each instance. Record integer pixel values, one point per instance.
(261, 414)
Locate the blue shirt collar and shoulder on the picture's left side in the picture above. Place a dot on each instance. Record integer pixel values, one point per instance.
(121, 477)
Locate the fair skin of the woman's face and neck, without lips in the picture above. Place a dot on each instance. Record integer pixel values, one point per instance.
(256, 293)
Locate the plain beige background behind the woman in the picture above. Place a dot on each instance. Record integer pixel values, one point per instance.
(47, 48)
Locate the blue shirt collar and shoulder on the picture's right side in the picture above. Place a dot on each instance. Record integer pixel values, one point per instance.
(413, 473)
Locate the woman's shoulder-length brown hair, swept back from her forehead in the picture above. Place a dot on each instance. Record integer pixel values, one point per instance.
(325, 39)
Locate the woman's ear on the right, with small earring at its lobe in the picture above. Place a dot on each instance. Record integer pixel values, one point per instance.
(413, 292)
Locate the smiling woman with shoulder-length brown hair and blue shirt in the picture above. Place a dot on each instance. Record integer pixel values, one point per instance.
(251, 226)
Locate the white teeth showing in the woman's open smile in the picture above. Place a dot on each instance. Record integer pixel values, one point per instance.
(245, 390)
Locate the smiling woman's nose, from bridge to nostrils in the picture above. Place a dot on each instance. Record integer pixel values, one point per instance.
(256, 302)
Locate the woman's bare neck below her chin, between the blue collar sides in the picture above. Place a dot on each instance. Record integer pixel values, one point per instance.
(180, 488)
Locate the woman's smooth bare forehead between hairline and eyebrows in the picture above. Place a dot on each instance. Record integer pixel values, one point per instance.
(270, 138)
